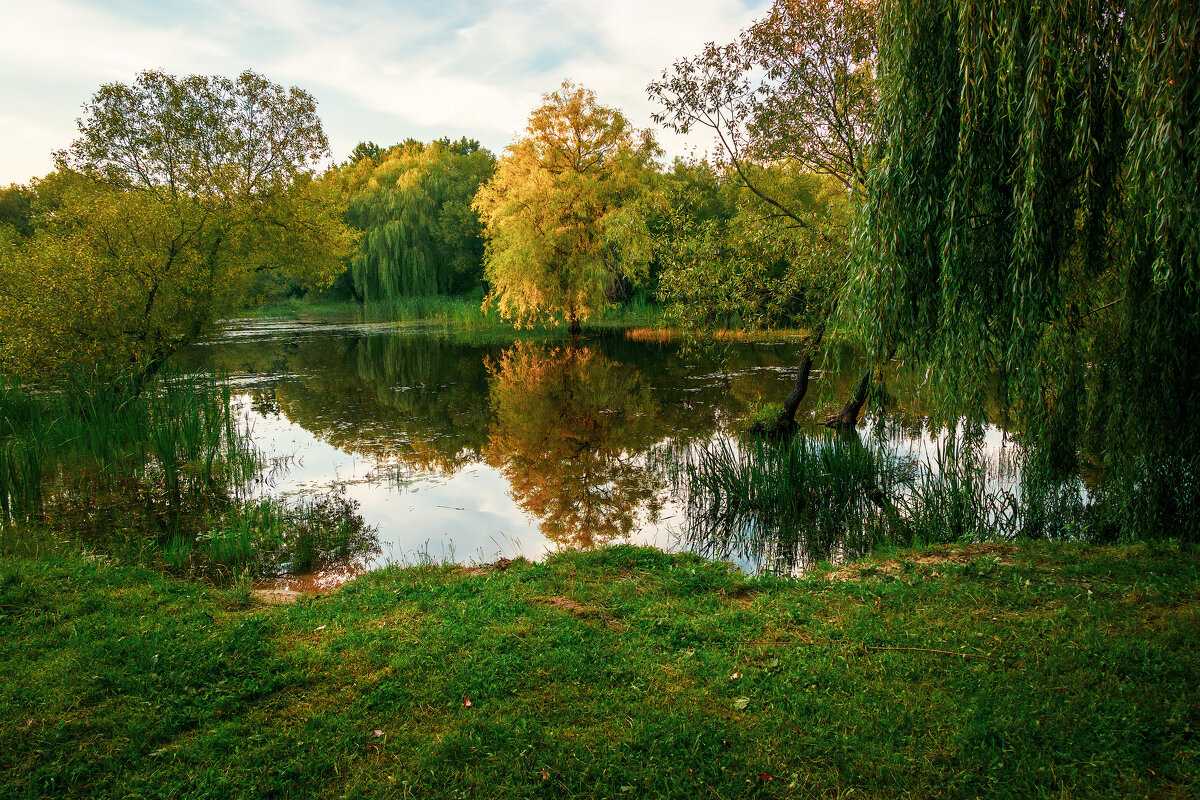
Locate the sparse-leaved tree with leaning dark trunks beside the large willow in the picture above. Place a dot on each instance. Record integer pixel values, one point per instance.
(793, 98)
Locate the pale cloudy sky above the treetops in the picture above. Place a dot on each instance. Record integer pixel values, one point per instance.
(380, 71)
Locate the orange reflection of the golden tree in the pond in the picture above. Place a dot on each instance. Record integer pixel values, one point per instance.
(569, 434)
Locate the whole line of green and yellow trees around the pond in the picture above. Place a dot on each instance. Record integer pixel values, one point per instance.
(1003, 195)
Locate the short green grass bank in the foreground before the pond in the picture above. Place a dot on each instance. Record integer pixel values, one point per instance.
(1031, 671)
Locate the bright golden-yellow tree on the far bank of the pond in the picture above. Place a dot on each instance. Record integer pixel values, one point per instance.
(551, 212)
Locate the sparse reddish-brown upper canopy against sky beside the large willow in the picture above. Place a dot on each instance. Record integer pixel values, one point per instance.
(797, 87)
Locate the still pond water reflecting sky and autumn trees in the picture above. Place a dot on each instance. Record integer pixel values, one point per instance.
(471, 448)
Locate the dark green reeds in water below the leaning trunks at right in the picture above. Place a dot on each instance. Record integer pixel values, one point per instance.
(831, 496)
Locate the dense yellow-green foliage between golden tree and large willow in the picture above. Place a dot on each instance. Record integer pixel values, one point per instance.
(721, 257)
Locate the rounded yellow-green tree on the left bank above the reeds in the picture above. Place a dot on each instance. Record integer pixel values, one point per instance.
(177, 194)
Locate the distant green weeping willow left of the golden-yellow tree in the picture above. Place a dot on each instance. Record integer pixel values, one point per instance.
(413, 204)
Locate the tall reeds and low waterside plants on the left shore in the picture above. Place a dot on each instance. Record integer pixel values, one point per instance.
(167, 471)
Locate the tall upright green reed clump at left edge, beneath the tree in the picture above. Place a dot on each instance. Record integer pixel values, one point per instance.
(94, 453)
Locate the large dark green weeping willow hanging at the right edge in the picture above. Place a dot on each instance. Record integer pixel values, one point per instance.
(1034, 227)
